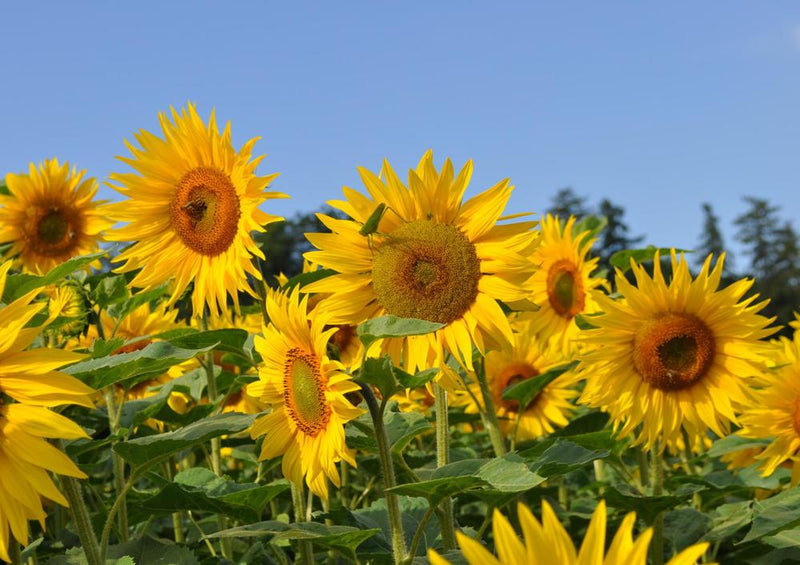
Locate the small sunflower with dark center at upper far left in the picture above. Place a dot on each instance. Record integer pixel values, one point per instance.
(49, 216)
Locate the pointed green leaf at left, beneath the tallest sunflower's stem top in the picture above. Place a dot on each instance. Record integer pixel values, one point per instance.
(153, 360)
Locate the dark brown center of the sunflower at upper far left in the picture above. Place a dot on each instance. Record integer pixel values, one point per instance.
(52, 231)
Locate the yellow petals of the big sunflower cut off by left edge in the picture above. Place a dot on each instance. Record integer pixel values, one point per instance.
(30, 378)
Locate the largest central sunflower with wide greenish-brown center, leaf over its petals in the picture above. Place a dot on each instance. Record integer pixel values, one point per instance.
(432, 256)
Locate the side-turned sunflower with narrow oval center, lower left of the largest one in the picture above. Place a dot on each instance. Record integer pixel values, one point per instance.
(306, 391)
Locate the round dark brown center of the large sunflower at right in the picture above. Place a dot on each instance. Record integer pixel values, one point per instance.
(673, 351)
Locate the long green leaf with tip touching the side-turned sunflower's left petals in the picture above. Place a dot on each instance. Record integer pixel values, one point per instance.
(142, 450)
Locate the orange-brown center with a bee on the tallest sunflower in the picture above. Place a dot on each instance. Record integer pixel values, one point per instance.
(205, 211)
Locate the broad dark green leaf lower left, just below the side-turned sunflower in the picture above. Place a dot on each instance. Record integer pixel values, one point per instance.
(201, 490)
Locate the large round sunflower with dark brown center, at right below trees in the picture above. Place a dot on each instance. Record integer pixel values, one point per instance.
(674, 356)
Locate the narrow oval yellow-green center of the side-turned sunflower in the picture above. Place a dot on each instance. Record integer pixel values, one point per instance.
(303, 392)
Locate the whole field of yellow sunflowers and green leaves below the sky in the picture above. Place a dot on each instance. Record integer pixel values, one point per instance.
(442, 383)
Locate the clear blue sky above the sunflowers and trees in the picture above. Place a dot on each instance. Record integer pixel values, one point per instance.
(658, 106)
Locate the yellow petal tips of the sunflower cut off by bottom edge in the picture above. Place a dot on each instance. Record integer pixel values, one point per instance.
(548, 543)
